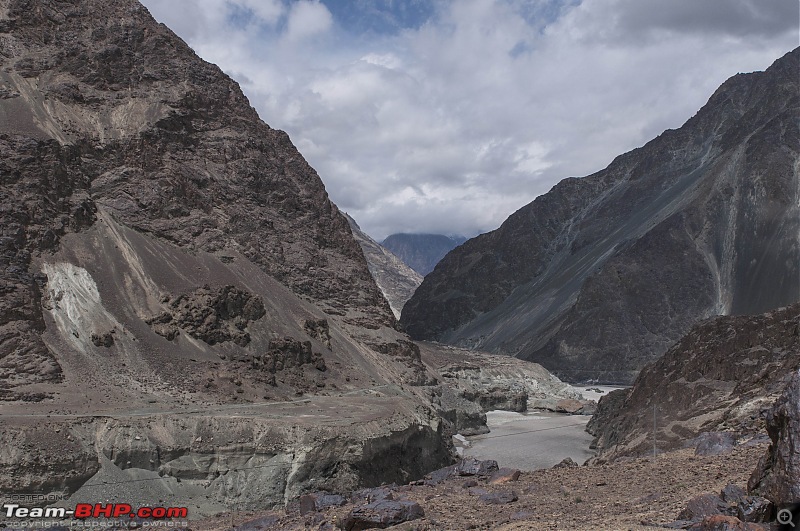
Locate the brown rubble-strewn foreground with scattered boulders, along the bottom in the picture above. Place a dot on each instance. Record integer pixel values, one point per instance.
(726, 487)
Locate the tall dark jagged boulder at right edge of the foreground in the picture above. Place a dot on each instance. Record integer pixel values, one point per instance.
(777, 476)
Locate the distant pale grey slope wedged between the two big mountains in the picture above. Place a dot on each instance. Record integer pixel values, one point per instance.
(395, 279)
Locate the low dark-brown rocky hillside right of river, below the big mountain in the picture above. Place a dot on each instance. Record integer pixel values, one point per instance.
(719, 377)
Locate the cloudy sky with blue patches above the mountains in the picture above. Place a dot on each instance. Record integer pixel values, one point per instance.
(445, 116)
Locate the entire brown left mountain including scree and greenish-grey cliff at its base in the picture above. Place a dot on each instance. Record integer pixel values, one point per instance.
(184, 312)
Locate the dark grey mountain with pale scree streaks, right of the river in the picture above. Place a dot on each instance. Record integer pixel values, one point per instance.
(602, 274)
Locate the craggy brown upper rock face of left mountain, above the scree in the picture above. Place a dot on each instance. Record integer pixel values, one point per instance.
(105, 111)
